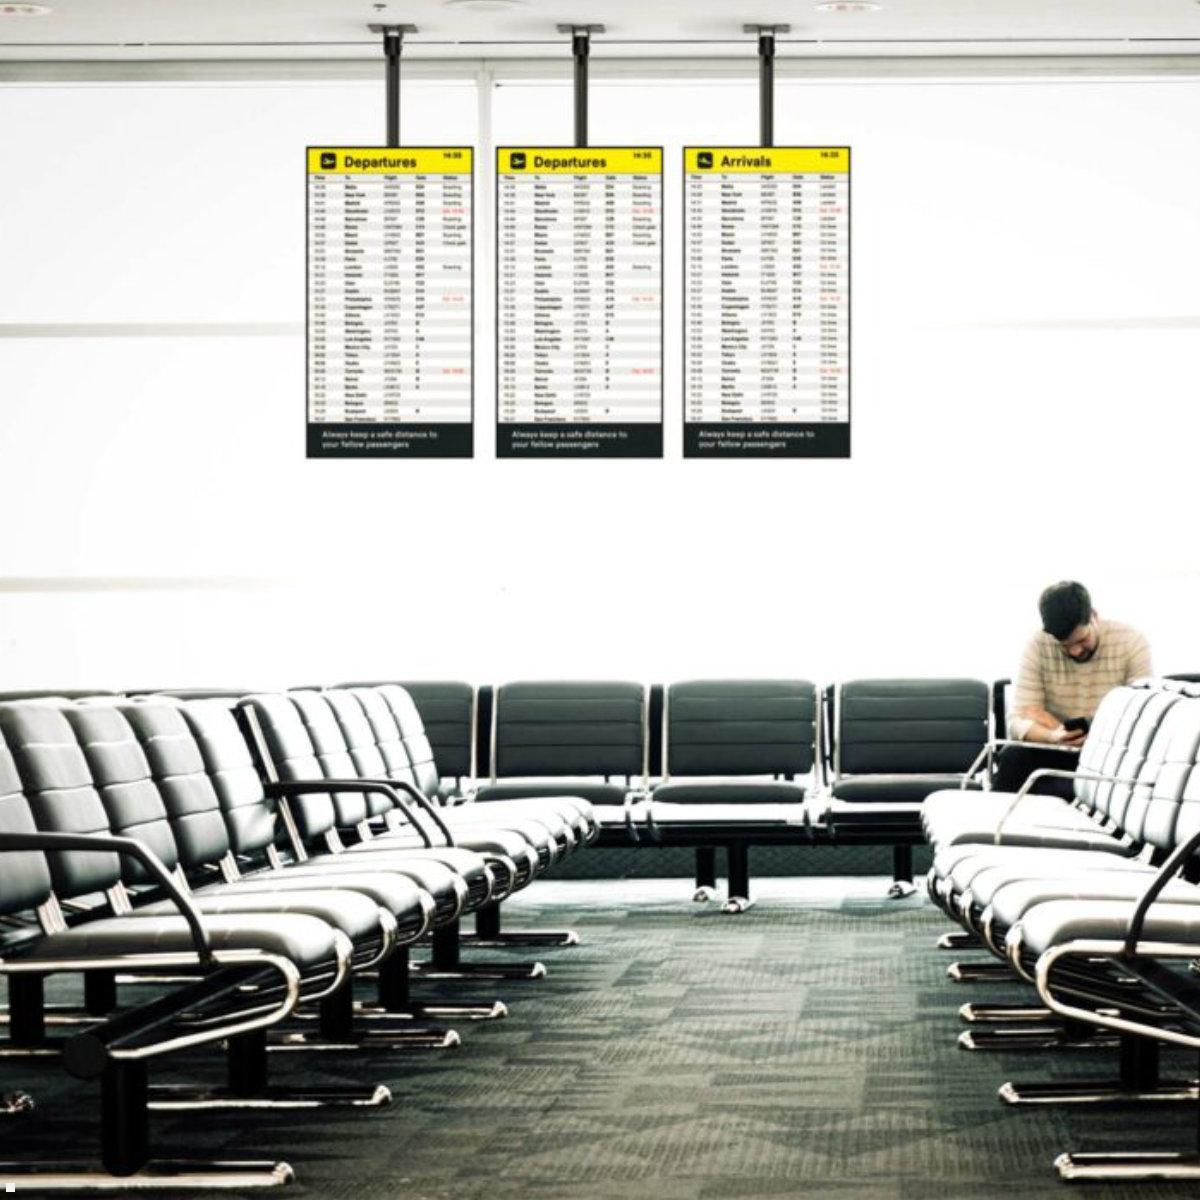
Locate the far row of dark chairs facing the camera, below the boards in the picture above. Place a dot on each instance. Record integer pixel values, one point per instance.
(728, 765)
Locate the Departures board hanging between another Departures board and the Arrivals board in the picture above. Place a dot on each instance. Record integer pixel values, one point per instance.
(579, 297)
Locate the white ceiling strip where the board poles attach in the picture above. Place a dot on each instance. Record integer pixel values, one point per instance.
(325, 29)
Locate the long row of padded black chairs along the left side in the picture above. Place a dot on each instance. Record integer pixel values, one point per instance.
(229, 873)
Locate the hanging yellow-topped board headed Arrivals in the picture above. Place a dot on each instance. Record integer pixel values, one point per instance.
(766, 302)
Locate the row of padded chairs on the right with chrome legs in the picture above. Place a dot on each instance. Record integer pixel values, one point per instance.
(1095, 904)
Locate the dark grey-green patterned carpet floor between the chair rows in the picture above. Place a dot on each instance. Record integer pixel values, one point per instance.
(803, 1049)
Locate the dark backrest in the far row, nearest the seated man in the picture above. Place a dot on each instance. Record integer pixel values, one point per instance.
(909, 727)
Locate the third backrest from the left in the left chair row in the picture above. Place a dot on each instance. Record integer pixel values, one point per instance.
(122, 776)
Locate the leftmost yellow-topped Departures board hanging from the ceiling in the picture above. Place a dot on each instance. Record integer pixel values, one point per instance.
(391, 329)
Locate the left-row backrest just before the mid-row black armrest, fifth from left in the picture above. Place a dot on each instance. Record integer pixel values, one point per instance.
(250, 815)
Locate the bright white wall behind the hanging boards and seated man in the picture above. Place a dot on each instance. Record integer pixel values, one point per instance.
(1025, 315)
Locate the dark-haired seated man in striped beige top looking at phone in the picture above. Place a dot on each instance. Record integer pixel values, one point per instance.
(1065, 674)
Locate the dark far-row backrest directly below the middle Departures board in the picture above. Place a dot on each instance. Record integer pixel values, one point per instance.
(569, 729)
